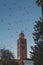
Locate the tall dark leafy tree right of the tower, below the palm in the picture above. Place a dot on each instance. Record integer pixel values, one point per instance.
(37, 49)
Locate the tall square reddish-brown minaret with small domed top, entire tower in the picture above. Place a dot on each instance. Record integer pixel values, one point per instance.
(21, 47)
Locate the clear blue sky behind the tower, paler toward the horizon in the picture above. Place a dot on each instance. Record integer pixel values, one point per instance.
(17, 16)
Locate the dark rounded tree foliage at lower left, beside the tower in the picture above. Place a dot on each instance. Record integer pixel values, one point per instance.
(6, 57)
